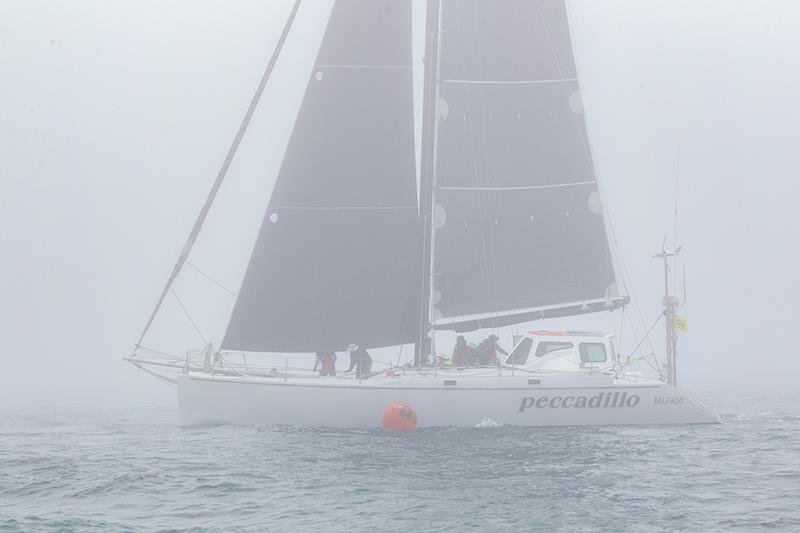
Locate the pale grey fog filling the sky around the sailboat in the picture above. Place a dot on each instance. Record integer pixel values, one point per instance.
(114, 118)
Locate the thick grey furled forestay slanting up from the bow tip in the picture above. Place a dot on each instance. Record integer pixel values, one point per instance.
(223, 171)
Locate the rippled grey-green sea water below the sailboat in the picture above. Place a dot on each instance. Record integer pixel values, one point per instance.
(98, 468)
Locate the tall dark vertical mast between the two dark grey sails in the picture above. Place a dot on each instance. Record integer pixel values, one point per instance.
(428, 177)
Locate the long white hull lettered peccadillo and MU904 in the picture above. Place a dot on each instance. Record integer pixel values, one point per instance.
(448, 398)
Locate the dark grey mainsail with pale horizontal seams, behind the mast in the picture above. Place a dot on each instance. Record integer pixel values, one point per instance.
(519, 228)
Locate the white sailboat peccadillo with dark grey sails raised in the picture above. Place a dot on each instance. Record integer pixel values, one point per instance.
(502, 225)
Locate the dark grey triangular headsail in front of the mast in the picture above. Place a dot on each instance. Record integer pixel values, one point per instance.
(337, 257)
